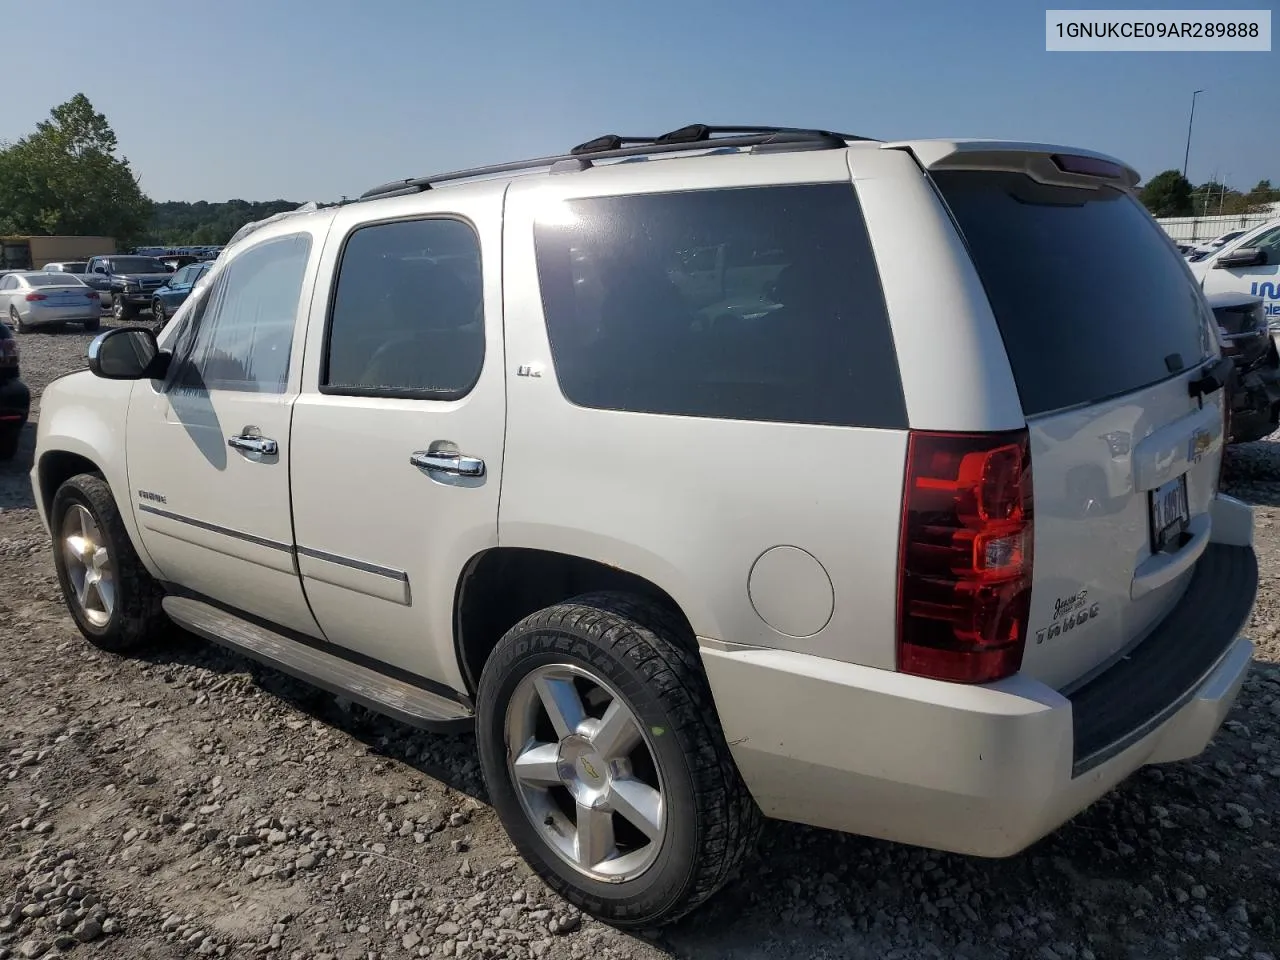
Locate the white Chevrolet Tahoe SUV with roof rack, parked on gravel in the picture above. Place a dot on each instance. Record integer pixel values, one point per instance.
(738, 472)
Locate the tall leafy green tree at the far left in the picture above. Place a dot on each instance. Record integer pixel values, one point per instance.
(66, 179)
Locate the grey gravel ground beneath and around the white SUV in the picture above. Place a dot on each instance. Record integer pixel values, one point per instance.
(191, 803)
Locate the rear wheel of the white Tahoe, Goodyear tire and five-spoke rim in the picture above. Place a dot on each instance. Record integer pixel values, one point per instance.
(644, 656)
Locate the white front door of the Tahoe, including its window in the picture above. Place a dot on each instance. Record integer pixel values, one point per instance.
(209, 447)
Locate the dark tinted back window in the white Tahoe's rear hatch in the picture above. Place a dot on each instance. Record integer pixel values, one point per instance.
(1091, 298)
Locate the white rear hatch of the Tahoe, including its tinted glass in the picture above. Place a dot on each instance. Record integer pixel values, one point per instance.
(1105, 331)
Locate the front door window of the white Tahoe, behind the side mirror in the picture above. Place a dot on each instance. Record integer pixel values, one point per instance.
(240, 336)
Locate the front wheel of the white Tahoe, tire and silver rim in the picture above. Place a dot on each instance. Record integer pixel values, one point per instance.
(134, 618)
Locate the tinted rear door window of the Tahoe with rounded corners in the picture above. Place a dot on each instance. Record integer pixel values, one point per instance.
(408, 317)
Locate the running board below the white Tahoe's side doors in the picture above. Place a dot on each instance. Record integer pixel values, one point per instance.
(383, 694)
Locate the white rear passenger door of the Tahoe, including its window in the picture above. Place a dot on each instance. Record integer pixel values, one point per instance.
(399, 431)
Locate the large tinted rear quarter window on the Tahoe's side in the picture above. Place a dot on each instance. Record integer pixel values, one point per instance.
(758, 304)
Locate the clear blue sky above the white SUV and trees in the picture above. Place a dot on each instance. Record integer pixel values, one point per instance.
(317, 100)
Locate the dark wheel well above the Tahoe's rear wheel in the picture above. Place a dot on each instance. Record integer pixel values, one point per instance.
(502, 587)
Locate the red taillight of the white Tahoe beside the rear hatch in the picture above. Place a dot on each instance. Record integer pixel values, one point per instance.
(966, 556)
